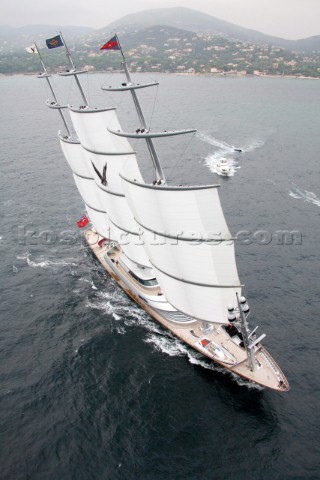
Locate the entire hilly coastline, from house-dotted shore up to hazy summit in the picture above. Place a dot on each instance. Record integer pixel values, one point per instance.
(204, 45)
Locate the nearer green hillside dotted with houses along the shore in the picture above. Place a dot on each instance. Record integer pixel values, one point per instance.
(171, 50)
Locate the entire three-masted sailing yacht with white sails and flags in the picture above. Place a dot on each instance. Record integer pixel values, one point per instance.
(167, 246)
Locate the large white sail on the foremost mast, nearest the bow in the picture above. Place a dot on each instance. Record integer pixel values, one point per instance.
(189, 245)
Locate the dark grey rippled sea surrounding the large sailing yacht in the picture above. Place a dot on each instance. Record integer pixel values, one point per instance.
(91, 387)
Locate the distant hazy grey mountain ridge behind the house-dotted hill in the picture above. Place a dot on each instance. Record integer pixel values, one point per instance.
(178, 17)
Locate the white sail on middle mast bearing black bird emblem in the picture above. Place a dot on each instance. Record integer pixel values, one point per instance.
(106, 158)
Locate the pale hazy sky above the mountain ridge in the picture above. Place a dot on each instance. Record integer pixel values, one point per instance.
(283, 18)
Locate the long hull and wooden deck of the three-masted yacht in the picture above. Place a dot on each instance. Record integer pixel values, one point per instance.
(216, 344)
